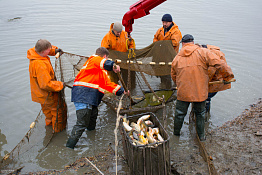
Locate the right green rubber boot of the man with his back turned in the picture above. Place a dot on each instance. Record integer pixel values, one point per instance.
(199, 109)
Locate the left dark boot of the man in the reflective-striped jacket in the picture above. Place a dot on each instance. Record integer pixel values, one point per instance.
(83, 118)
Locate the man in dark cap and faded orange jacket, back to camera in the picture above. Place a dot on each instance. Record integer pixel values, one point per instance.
(189, 70)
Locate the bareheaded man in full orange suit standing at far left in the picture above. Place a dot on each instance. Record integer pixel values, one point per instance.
(44, 87)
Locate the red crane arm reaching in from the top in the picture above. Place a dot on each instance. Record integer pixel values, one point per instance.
(138, 10)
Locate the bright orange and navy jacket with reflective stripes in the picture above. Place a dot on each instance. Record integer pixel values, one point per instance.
(92, 81)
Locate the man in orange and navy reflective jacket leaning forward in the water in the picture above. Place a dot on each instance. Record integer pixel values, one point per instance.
(88, 90)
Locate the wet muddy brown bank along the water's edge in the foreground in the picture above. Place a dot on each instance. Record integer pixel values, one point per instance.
(234, 148)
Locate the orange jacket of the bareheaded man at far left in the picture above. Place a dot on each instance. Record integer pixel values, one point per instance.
(42, 77)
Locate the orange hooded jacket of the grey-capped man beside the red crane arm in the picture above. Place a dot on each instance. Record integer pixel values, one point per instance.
(110, 41)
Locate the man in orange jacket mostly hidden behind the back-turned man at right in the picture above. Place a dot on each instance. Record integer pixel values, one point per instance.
(215, 75)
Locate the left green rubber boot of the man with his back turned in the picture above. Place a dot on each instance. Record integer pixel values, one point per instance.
(180, 113)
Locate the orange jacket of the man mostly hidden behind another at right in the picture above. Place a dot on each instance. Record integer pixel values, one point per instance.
(215, 75)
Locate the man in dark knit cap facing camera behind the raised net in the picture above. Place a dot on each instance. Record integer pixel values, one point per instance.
(169, 31)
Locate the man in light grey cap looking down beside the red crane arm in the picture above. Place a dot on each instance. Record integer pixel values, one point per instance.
(117, 39)
